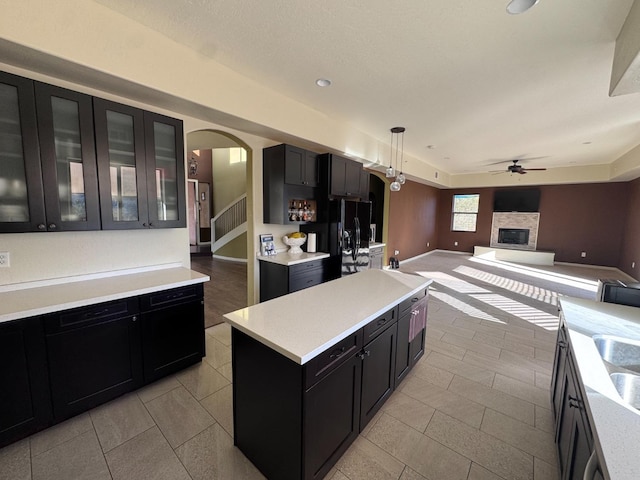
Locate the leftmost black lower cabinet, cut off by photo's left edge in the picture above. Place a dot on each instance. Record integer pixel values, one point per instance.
(25, 402)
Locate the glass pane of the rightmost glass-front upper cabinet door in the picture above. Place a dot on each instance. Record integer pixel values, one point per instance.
(166, 191)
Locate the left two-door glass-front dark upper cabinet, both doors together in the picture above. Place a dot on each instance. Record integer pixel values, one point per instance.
(48, 179)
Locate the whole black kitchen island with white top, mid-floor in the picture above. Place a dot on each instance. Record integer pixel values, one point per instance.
(311, 368)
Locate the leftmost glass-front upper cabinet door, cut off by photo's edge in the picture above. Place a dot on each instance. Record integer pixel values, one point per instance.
(21, 194)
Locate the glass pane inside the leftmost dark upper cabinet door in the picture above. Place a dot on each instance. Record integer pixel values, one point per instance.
(14, 201)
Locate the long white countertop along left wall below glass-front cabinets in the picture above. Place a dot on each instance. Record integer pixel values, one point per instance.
(78, 292)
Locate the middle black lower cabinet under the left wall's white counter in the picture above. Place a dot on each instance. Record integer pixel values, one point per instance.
(94, 355)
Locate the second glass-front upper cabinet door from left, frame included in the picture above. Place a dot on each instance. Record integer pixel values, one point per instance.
(65, 124)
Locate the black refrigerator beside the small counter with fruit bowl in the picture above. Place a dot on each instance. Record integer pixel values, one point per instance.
(345, 235)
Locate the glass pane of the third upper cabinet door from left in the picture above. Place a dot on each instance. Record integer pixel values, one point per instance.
(122, 167)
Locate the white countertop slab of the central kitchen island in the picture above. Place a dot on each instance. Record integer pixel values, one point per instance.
(303, 324)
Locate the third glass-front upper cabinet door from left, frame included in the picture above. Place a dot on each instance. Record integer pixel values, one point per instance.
(120, 147)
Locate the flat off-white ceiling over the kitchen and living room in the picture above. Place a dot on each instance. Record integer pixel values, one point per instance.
(463, 76)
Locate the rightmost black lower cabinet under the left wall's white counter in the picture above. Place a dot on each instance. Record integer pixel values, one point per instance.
(172, 331)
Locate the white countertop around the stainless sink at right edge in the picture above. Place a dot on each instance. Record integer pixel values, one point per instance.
(615, 425)
